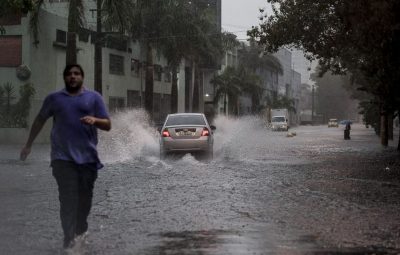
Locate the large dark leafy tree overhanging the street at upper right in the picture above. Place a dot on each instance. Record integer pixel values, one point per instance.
(358, 37)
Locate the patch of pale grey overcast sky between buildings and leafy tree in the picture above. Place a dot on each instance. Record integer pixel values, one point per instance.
(239, 15)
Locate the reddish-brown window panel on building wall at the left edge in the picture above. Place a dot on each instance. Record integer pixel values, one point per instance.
(10, 51)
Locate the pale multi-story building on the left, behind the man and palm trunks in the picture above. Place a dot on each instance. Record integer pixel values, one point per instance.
(44, 61)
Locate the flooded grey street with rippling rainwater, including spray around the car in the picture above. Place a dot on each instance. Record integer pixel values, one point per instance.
(263, 193)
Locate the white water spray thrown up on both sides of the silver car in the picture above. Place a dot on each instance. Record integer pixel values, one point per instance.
(132, 138)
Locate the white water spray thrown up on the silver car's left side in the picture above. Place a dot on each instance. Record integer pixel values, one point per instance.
(131, 137)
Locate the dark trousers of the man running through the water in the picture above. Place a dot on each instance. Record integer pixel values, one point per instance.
(75, 189)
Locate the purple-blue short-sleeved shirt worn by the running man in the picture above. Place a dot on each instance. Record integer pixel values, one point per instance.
(72, 140)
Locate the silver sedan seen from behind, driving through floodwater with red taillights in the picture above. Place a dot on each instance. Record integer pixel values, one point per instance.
(186, 133)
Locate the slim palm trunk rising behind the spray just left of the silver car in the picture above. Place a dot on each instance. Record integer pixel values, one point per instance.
(149, 88)
